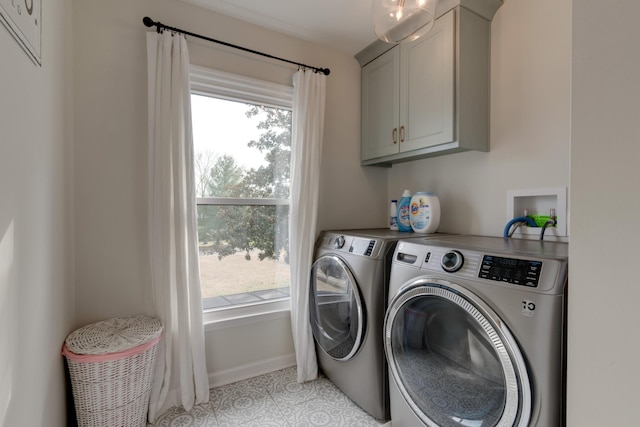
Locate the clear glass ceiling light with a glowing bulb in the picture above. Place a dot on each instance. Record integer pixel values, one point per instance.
(403, 20)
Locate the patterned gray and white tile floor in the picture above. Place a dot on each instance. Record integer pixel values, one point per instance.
(274, 399)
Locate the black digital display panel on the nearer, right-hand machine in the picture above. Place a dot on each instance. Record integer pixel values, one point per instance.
(510, 270)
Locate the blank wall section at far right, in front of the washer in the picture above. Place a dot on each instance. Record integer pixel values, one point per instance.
(604, 341)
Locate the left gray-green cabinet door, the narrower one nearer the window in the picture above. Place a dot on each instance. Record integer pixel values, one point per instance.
(380, 105)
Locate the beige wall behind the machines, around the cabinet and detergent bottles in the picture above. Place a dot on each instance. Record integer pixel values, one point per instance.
(530, 115)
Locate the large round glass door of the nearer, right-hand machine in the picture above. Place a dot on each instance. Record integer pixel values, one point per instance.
(453, 360)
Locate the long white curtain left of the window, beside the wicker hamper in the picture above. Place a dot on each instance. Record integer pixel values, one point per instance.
(181, 374)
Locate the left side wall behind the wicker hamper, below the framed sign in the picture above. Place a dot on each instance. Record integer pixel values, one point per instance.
(36, 285)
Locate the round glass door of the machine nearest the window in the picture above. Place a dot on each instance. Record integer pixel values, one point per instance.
(336, 307)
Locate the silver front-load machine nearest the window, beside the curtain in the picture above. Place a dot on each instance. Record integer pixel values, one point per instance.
(348, 296)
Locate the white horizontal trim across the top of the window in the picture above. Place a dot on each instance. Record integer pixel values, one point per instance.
(208, 82)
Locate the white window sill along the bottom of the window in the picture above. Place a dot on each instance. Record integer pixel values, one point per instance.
(246, 314)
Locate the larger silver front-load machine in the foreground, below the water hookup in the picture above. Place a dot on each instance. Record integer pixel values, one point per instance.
(475, 332)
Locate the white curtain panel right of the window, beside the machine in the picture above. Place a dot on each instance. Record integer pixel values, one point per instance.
(306, 150)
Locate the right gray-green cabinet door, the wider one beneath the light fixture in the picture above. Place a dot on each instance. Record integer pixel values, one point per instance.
(427, 113)
